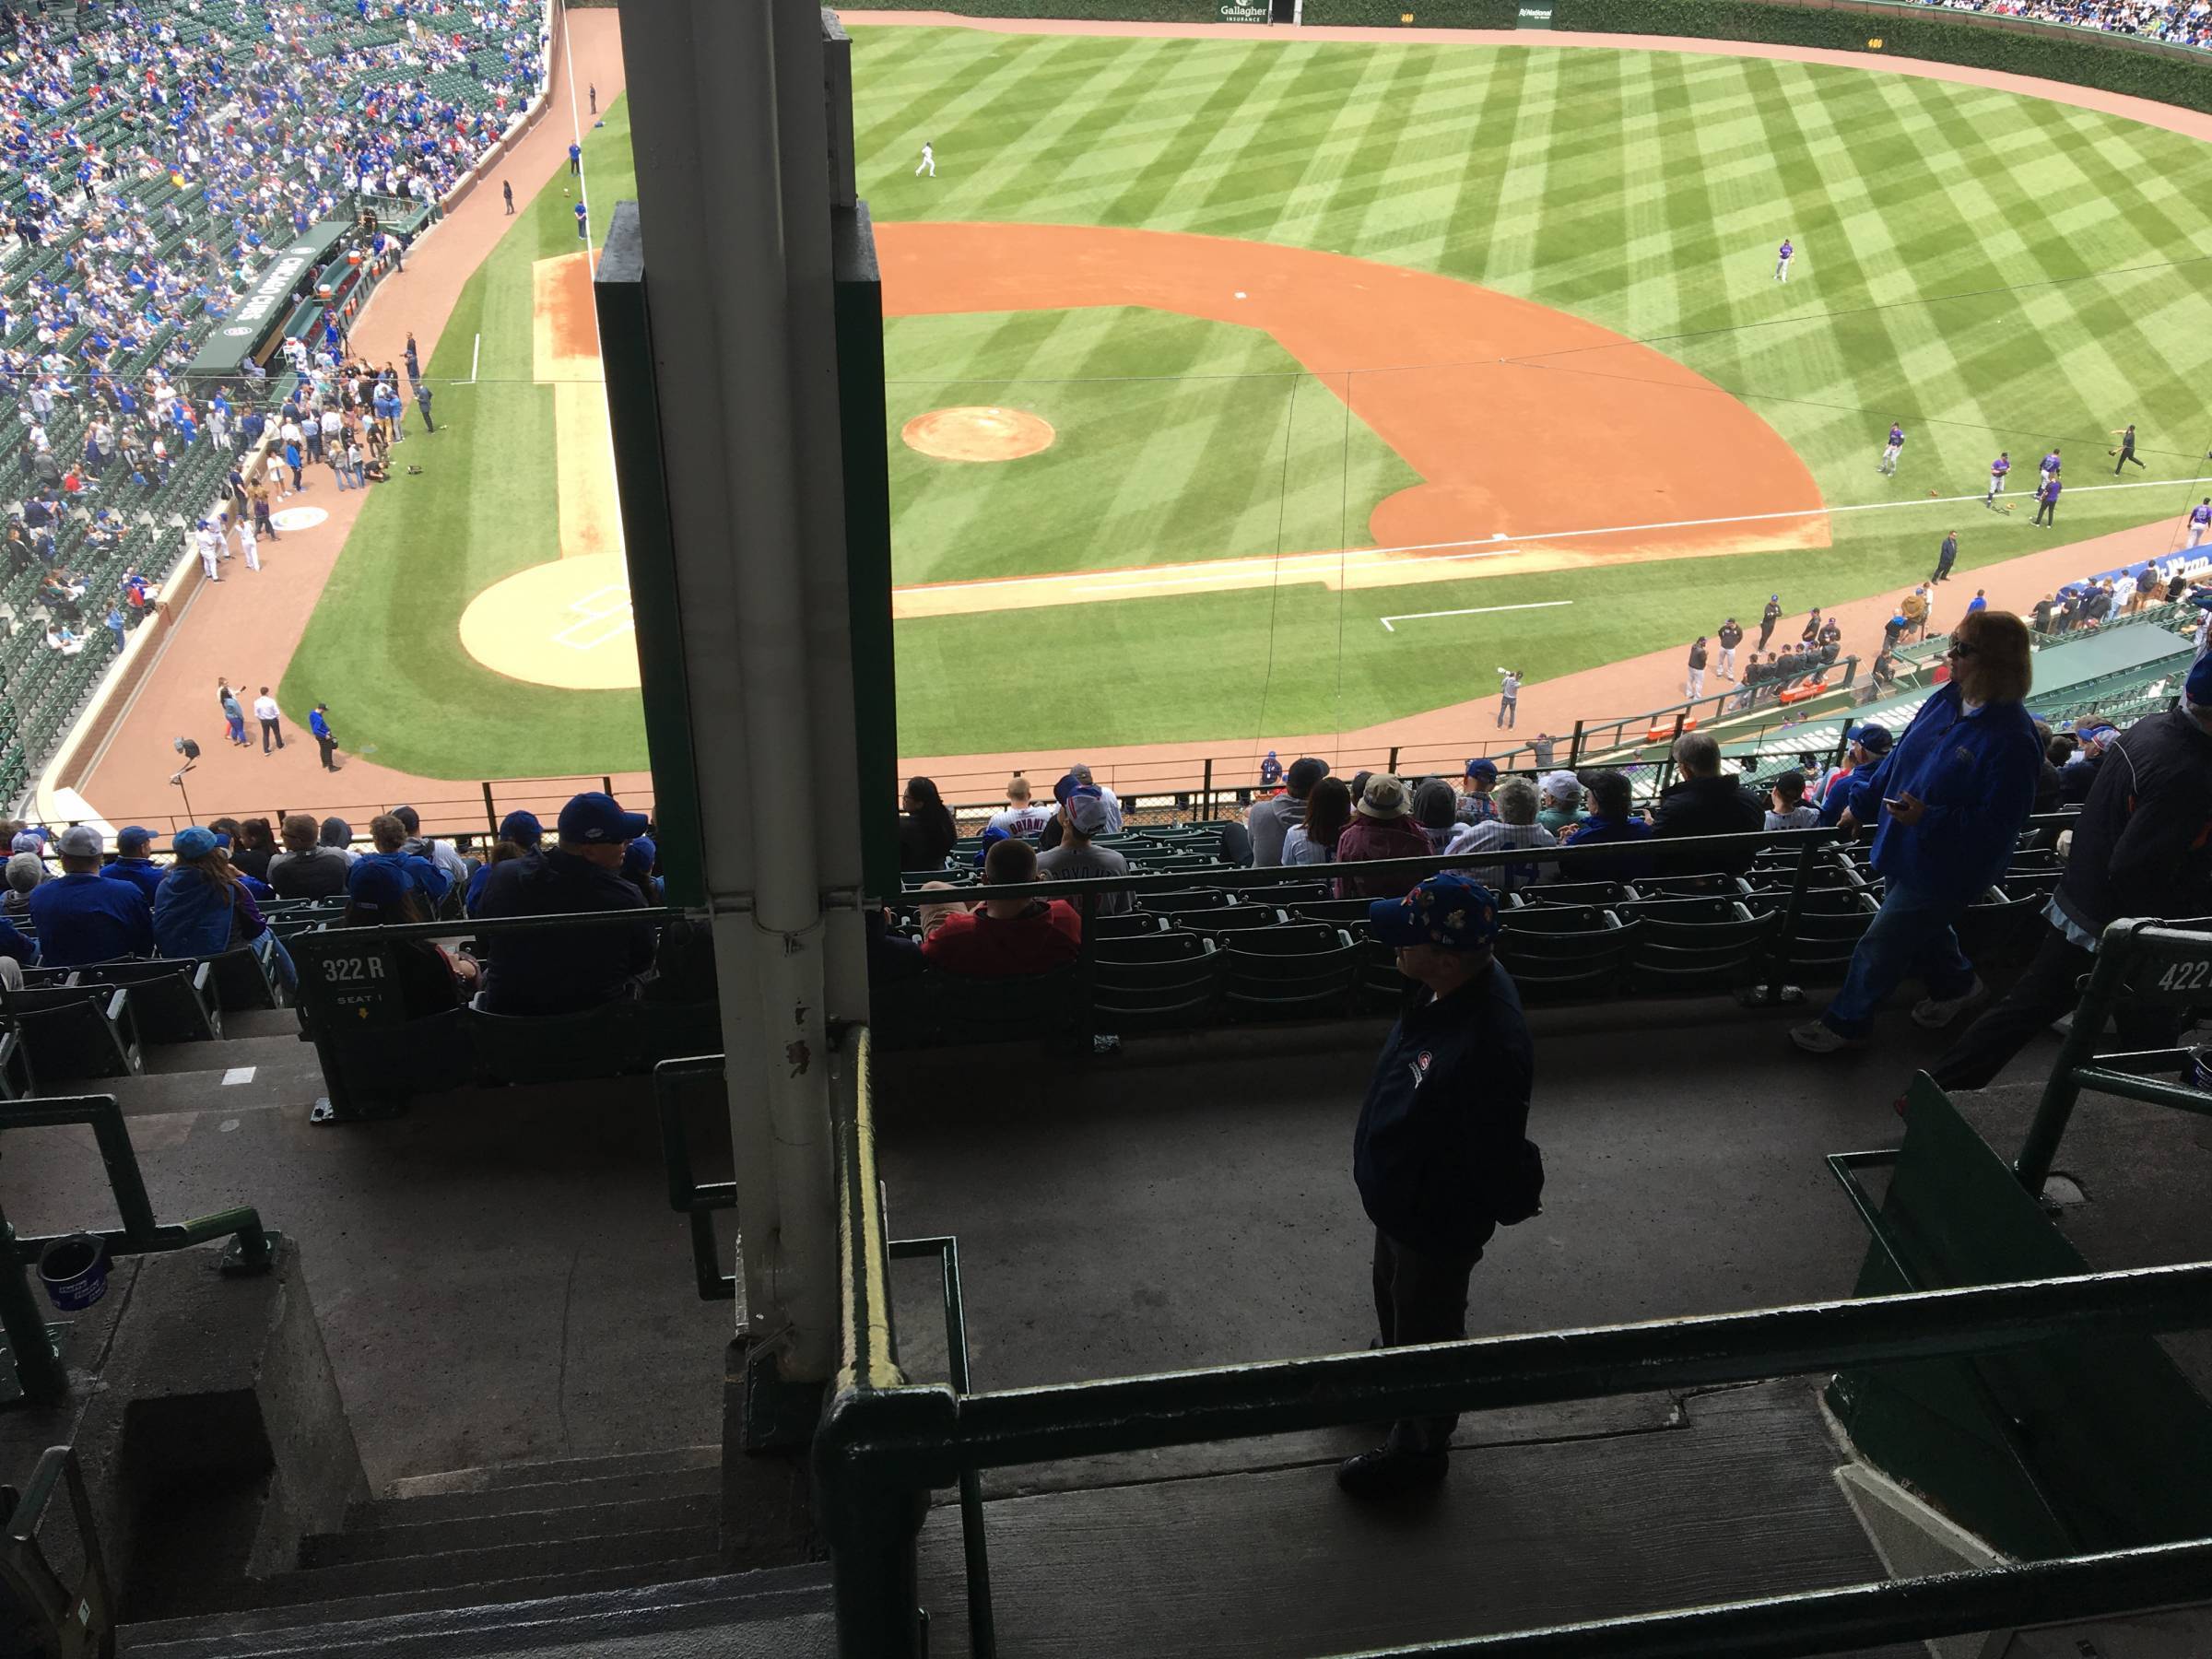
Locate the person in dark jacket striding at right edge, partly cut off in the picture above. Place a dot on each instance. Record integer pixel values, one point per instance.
(2142, 846)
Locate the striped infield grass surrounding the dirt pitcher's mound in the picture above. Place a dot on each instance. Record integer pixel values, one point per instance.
(1176, 439)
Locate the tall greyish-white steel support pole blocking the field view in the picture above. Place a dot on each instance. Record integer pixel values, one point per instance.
(735, 218)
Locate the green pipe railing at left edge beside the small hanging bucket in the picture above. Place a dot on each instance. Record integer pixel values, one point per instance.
(32, 1344)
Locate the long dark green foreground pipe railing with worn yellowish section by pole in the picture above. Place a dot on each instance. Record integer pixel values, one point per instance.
(886, 1441)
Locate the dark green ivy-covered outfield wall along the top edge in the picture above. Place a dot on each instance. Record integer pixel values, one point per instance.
(2111, 63)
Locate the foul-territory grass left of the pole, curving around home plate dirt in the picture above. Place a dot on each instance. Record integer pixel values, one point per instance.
(384, 647)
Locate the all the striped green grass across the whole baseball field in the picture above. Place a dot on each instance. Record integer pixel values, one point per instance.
(1994, 271)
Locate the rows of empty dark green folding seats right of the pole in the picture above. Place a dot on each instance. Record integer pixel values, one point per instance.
(1269, 946)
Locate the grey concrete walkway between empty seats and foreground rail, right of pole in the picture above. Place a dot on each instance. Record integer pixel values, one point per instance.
(1193, 1204)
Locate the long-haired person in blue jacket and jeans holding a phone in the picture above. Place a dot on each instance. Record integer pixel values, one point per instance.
(1948, 806)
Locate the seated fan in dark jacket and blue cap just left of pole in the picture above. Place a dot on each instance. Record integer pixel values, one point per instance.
(565, 970)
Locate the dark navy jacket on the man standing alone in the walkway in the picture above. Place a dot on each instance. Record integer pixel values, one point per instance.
(1446, 1114)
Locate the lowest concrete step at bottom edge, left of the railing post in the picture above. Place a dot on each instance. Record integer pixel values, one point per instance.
(603, 1614)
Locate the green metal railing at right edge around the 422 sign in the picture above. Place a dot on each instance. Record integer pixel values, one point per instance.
(2142, 963)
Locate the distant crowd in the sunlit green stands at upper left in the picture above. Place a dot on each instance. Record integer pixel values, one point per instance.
(154, 160)
